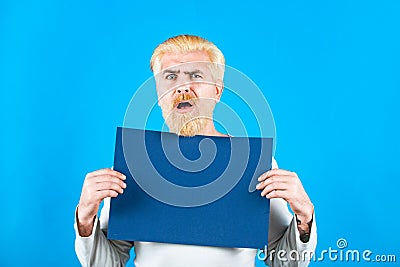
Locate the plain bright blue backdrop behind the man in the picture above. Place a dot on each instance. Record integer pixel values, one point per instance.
(329, 69)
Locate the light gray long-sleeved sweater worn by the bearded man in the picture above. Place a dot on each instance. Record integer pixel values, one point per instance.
(97, 250)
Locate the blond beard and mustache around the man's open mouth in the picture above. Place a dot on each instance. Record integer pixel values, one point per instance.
(189, 123)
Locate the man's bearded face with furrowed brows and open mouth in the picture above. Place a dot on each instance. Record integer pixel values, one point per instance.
(187, 91)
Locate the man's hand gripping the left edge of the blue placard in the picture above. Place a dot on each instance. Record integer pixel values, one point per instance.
(97, 186)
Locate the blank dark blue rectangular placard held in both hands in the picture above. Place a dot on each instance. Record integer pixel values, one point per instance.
(238, 219)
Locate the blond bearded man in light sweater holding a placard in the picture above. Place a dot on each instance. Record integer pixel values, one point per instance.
(189, 81)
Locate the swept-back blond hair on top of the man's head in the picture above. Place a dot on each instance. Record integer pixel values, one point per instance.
(185, 44)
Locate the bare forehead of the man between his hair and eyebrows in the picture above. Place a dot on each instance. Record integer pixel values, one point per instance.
(172, 59)
